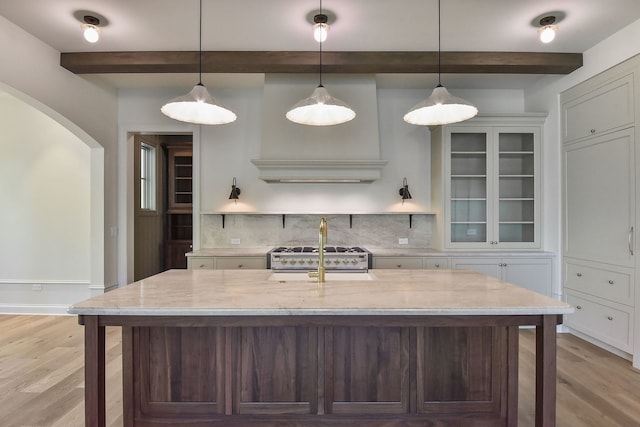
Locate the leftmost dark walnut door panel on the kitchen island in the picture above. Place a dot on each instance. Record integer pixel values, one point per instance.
(173, 371)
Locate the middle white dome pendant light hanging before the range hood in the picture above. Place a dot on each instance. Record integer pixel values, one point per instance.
(320, 109)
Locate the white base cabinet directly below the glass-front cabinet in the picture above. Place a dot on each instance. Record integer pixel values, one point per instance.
(534, 274)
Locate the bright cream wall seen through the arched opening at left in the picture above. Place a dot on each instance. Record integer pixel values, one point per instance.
(45, 220)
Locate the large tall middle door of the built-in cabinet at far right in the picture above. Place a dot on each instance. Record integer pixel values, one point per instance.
(599, 199)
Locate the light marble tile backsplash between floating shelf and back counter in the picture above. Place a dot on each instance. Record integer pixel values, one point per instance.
(366, 230)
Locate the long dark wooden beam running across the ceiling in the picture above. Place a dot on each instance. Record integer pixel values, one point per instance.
(332, 62)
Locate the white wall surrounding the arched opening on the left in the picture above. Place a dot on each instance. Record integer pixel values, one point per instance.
(31, 72)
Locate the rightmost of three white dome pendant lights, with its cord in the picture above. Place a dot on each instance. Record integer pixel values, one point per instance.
(441, 108)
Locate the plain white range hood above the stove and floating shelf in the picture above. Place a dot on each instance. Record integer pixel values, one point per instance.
(294, 153)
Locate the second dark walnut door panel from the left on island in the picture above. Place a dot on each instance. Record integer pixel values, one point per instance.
(276, 370)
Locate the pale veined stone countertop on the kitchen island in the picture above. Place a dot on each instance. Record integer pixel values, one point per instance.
(251, 292)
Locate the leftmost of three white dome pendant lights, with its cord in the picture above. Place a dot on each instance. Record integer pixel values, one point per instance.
(198, 106)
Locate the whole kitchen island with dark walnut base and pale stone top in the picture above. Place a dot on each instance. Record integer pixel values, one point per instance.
(384, 348)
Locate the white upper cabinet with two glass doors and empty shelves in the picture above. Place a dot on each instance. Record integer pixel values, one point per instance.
(490, 179)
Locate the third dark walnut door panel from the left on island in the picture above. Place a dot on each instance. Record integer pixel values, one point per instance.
(367, 370)
